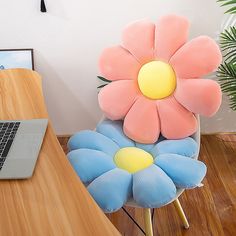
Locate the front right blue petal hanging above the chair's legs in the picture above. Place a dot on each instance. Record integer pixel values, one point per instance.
(152, 188)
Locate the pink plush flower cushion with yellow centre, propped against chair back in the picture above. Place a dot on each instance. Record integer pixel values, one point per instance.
(156, 80)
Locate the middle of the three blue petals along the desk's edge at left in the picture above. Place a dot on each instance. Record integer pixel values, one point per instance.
(89, 164)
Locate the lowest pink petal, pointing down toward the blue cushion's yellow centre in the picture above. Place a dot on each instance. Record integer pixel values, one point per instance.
(142, 123)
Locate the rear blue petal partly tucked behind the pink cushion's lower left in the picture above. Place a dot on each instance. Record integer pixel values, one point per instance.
(114, 131)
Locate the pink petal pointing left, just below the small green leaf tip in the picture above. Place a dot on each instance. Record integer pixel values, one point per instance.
(116, 98)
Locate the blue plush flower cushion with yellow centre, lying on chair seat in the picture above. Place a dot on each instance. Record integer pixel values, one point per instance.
(115, 168)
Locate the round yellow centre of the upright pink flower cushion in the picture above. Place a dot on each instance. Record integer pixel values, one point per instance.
(156, 80)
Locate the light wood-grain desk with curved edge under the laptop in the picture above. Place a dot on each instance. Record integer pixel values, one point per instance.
(53, 201)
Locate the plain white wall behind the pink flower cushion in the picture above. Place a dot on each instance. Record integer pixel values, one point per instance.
(69, 38)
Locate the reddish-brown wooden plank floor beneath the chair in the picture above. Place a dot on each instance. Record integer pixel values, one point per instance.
(211, 210)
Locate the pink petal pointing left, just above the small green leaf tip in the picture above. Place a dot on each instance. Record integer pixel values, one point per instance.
(116, 63)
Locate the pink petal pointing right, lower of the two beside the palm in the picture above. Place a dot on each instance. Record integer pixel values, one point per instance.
(200, 96)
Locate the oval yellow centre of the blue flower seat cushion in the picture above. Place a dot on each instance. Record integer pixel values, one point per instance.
(133, 159)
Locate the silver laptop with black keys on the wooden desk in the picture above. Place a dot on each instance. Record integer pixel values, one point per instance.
(20, 143)
